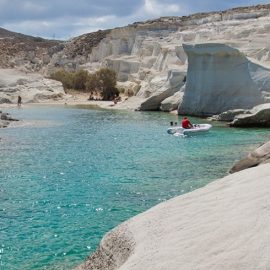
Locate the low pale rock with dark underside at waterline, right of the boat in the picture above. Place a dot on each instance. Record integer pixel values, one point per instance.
(259, 116)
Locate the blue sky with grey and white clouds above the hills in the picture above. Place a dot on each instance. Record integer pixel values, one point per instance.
(64, 19)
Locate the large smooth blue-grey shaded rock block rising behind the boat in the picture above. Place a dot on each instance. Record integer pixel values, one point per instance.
(221, 78)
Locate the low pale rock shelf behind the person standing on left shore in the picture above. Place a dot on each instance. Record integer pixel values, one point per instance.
(31, 87)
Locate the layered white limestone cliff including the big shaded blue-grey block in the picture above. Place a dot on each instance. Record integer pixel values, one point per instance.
(145, 53)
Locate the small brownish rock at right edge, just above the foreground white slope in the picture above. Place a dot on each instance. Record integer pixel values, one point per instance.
(259, 156)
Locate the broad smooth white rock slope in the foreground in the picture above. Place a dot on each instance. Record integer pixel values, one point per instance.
(224, 225)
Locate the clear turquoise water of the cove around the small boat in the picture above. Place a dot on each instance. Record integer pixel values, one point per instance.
(73, 174)
